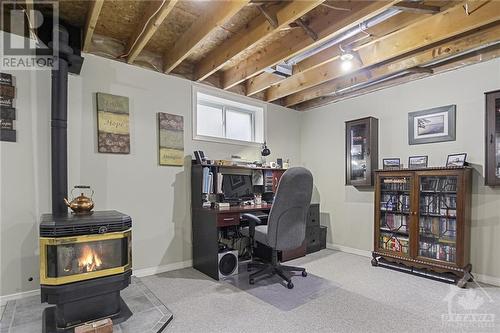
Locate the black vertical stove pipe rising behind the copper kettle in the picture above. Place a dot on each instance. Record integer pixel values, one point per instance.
(59, 116)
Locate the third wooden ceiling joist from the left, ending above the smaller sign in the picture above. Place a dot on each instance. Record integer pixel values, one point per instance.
(215, 16)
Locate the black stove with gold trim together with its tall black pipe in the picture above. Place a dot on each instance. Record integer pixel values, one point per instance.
(85, 260)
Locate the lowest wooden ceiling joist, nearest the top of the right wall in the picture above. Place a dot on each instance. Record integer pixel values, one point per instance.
(466, 60)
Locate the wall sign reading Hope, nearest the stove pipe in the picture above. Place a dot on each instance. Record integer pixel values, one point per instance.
(113, 124)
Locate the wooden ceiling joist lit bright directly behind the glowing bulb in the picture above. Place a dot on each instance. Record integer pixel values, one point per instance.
(481, 38)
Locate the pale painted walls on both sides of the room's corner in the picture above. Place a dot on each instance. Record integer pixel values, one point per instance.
(157, 197)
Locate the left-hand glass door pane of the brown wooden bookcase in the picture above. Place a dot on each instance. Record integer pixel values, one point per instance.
(395, 214)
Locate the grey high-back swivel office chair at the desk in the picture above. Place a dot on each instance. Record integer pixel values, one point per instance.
(286, 227)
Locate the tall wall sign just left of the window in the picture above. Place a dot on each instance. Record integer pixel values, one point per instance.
(171, 139)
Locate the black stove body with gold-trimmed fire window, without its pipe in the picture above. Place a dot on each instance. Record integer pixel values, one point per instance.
(85, 260)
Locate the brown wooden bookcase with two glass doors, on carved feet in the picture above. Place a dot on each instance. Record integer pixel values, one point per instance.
(422, 220)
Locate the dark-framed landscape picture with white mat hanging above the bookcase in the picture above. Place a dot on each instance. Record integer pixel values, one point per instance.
(433, 125)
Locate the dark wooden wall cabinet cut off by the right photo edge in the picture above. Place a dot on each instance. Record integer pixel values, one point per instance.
(492, 146)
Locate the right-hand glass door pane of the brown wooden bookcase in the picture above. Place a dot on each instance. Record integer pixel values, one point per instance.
(437, 219)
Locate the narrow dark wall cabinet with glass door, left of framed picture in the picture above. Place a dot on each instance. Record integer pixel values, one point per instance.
(361, 151)
